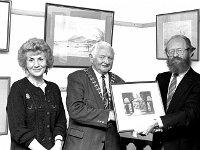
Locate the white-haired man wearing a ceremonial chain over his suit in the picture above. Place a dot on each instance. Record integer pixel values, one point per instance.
(91, 117)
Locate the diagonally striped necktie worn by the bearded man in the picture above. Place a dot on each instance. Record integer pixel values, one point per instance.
(172, 89)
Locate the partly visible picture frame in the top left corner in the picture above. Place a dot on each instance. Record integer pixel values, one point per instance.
(5, 15)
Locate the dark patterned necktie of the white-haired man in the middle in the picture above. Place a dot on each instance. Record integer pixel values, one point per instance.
(105, 94)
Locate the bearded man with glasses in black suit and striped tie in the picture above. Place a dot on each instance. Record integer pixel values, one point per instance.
(180, 92)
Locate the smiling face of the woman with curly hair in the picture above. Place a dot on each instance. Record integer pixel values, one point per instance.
(36, 63)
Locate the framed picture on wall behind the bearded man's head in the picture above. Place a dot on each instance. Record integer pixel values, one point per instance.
(184, 23)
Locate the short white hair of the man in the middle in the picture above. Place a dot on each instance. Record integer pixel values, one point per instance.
(100, 45)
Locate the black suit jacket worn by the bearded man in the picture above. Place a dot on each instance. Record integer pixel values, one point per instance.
(181, 129)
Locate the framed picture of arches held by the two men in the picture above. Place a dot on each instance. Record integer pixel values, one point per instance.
(135, 103)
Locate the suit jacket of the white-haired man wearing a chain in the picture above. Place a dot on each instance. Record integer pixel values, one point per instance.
(87, 117)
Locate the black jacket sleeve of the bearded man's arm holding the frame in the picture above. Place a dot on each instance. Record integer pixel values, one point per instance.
(189, 112)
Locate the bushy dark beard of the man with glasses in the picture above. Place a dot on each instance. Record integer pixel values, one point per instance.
(178, 65)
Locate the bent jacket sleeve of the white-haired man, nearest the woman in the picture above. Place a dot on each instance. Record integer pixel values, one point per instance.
(79, 107)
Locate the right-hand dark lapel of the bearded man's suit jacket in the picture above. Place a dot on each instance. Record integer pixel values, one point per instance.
(180, 90)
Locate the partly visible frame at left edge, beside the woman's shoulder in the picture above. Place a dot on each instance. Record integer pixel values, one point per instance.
(4, 91)
